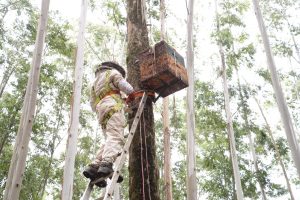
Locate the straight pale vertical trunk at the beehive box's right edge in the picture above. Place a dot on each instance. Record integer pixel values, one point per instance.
(191, 157)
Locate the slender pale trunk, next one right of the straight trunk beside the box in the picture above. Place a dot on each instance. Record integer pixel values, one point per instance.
(235, 166)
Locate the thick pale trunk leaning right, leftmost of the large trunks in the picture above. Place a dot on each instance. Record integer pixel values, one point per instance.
(17, 166)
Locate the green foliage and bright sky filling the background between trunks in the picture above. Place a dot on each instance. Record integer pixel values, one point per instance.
(107, 40)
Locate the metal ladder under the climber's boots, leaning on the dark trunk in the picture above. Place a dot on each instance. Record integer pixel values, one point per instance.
(120, 160)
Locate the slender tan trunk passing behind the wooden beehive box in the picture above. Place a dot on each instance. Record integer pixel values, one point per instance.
(166, 121)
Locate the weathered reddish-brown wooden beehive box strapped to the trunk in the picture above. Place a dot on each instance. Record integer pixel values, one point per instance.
(162, 69)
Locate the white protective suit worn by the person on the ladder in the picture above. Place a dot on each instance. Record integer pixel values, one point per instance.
(106, 101)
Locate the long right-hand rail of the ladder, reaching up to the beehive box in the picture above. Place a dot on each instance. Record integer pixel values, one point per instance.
(121, 160)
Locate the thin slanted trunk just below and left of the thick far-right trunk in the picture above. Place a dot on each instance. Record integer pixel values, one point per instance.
(277, 154)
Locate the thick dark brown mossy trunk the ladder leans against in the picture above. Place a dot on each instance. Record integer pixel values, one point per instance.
(143, 169)
